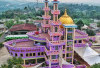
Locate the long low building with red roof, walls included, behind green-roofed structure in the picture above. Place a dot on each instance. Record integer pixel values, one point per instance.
(22, 28)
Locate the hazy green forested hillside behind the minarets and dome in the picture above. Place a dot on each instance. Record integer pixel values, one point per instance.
(76, 11)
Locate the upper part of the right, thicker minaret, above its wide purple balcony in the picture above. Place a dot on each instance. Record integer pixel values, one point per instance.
(55, 24)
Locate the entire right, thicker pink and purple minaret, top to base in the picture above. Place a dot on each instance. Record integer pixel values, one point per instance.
(55, 35)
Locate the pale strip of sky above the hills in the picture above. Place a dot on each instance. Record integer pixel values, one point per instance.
(66, 1)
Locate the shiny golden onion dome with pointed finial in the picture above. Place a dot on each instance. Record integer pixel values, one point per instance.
(65, 19)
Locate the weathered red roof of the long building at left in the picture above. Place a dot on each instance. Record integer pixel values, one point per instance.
(26, 26)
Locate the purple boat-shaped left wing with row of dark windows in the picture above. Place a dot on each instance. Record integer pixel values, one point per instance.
(21, 47)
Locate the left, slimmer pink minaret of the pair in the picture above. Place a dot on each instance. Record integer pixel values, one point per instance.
(46, 17)
